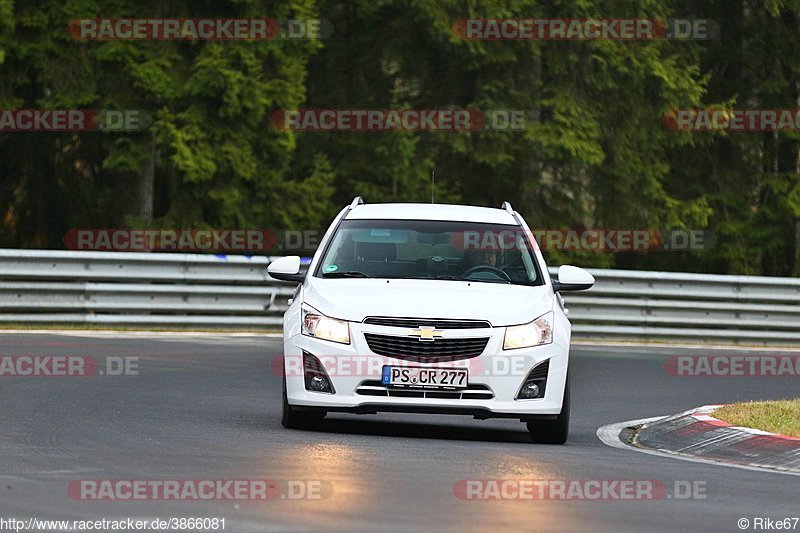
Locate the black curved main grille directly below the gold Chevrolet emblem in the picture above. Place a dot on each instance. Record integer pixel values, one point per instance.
(412, 349)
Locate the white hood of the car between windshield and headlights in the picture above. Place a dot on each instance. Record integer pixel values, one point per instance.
(355, 299)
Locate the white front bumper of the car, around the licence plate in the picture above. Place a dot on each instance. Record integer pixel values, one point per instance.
(501, 372)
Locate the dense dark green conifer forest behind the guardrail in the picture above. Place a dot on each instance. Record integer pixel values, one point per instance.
(595, 150)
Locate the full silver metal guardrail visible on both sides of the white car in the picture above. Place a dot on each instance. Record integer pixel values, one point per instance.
(235, 291)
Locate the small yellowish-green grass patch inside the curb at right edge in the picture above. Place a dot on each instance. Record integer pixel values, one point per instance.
(781, 416)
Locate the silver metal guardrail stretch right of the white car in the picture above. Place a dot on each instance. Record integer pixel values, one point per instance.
(641, 305)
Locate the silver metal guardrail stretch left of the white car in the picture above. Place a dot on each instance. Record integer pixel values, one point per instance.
(138, 288)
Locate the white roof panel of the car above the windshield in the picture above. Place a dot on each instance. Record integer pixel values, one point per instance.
(403, 211)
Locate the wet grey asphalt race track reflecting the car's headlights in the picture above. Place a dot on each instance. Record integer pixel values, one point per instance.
(208, 407)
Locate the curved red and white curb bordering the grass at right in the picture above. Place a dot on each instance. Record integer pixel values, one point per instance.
(697, 436)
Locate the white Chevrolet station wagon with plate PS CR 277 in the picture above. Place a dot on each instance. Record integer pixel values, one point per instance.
(428, 308)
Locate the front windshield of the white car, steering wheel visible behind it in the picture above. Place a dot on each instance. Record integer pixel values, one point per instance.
(430, 249)
